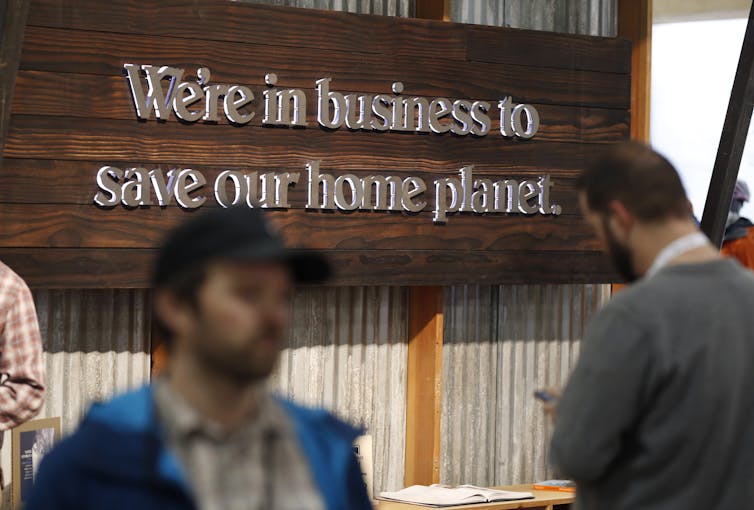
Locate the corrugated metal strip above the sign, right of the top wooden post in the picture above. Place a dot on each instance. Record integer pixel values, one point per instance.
(586, 17)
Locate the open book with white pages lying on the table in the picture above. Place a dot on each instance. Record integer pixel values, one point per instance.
(442, 495)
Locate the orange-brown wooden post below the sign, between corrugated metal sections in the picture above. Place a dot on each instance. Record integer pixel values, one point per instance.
(424, 386)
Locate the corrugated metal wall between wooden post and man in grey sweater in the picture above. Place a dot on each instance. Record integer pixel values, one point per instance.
(500, 344)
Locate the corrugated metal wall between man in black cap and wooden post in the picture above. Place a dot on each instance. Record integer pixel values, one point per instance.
(348, 354)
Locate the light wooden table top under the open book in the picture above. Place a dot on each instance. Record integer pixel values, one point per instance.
(543, 500)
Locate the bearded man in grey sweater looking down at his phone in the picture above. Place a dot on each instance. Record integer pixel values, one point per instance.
(658, 413)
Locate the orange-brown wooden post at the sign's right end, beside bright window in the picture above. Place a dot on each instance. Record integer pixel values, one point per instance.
(635, 24)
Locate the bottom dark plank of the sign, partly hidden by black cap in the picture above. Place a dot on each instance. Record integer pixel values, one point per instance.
(130, 268)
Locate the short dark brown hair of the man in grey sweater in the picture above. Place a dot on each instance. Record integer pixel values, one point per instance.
(644, 181)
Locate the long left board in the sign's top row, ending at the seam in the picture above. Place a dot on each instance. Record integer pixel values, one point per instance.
(220, 20)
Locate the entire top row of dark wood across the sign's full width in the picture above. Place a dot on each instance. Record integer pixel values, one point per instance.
(219, 20)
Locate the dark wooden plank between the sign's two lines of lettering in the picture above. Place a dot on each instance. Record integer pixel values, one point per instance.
(174, 143)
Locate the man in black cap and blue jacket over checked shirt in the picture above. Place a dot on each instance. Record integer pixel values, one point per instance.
(207, 435)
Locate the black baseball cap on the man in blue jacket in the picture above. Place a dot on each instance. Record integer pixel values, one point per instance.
(237, 233)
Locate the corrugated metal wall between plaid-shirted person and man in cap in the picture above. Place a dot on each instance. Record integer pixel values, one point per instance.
(96, 344)
